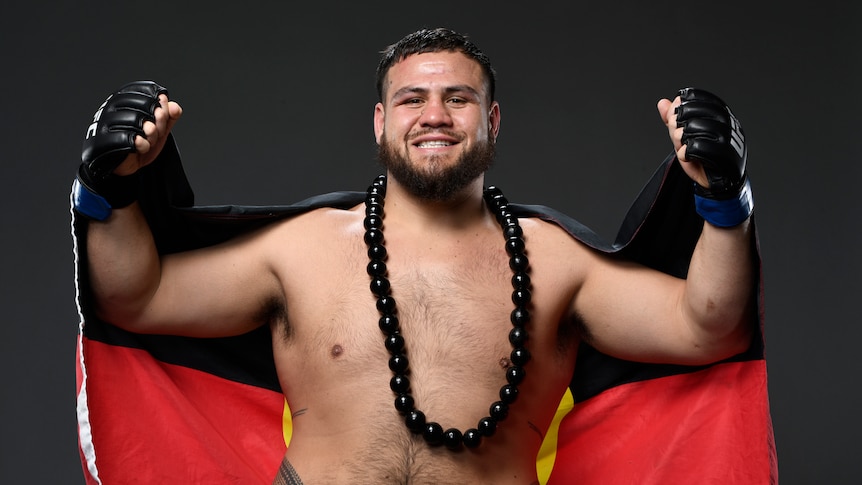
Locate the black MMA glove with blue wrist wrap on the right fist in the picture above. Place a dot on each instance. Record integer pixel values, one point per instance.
(714, 137)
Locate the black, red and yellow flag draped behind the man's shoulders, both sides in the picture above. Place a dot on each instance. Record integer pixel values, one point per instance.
(166, 409)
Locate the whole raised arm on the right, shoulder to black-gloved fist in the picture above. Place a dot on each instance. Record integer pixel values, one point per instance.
(639, 314)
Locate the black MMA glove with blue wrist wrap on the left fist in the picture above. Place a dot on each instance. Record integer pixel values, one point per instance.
(109, 139)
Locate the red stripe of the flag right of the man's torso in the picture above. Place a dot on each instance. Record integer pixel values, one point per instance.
(706, 427)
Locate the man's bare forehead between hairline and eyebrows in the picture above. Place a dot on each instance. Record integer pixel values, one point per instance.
(435, 69)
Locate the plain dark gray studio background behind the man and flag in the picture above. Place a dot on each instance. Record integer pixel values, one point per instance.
(278, 100)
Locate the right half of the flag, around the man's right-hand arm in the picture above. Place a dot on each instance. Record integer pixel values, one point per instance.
(625, 422)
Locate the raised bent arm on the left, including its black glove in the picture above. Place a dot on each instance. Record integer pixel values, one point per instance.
(211, 292)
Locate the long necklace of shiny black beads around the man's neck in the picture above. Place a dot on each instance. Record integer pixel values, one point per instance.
(431, 431)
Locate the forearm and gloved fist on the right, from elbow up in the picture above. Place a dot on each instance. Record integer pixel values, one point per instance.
(711, 148)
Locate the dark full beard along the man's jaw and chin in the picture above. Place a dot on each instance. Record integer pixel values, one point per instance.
(437, 185)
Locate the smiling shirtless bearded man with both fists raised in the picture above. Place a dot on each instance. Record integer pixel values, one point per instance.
(449, 267)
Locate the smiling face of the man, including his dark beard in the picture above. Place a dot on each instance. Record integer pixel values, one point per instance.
(435, 128)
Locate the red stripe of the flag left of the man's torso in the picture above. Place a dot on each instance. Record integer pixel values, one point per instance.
(159, 423)
